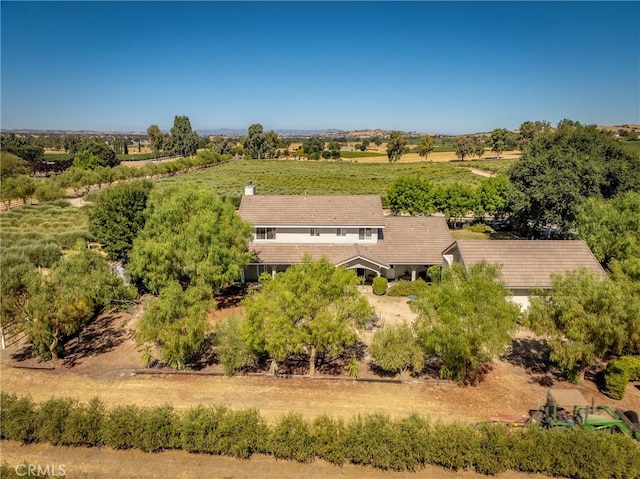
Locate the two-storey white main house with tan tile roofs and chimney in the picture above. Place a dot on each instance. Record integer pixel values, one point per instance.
(349, 230)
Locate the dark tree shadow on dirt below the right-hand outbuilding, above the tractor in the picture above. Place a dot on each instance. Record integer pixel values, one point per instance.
(533, 356)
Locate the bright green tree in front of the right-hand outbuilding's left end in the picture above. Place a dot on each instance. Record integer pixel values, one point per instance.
(466, 319)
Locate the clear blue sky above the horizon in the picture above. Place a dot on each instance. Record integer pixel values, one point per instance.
(439, 67)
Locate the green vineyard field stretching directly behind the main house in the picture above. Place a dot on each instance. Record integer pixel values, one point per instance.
(292, 177)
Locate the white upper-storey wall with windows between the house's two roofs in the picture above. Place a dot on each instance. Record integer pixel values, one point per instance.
(302, 235)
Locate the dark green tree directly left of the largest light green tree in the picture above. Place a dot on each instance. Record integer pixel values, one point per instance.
(117, 216)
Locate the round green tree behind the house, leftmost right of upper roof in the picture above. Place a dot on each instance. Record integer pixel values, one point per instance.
(413, 195)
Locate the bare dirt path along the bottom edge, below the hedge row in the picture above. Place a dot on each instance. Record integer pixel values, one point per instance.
(79, 462)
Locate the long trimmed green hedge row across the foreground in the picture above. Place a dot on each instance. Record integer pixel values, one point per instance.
(376, 440)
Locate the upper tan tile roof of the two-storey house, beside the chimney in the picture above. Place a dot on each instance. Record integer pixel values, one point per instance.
(295, 210)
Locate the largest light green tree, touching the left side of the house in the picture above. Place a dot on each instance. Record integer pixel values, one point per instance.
(190, 236)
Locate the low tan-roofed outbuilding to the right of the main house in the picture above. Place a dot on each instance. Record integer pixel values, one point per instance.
(525, 264)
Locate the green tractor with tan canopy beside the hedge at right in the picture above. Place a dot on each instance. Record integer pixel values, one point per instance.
(569, 408)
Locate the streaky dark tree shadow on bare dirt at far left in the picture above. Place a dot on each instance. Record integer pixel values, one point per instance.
(98, 337)
